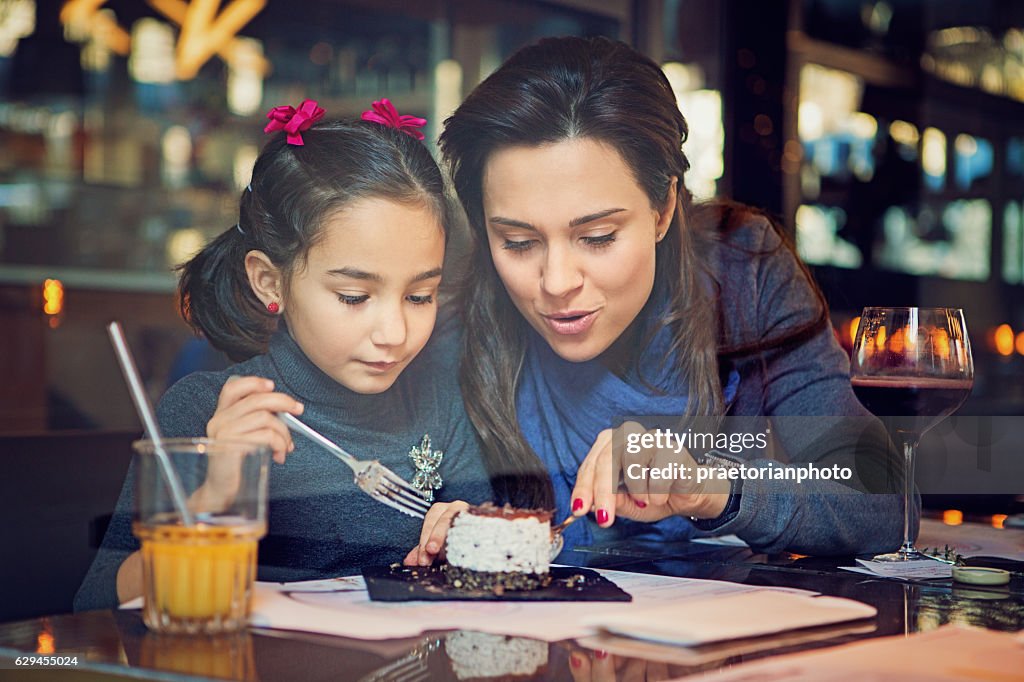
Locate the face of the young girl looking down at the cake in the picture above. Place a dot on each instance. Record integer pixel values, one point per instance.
(365, 303)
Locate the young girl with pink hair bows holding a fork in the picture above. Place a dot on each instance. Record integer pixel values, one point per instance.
(328, 286)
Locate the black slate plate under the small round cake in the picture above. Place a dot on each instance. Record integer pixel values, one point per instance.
(397, 583)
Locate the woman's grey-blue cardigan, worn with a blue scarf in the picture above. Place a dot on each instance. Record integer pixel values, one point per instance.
(803, 388)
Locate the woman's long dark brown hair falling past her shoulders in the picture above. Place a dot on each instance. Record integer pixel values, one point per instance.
(554, 91)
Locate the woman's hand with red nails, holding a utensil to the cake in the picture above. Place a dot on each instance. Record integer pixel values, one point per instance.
(649, 499)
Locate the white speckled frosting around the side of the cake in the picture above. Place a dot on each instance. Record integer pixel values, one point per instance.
(495, 544)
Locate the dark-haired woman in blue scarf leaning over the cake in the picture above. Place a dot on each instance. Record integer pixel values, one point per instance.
(599, 290)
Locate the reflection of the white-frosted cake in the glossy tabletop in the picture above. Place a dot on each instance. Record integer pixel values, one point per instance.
(476, 655)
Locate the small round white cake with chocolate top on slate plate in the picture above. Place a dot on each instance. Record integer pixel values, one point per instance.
(499, 548)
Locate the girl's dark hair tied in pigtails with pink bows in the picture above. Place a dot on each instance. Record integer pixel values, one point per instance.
(293, 191)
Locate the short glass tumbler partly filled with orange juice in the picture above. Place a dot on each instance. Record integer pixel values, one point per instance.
(199, 578)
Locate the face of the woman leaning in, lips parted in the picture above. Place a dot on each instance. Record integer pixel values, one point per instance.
(573, 237)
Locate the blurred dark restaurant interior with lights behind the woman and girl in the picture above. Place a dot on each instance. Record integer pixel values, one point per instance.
(886, 136)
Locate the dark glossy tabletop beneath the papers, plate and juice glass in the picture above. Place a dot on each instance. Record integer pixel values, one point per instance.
(116, 645)
